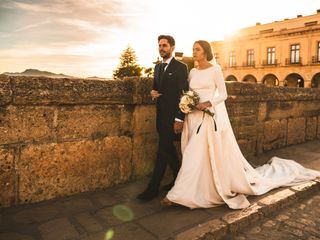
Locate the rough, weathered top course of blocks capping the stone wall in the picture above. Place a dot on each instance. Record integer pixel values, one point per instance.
(22, 90)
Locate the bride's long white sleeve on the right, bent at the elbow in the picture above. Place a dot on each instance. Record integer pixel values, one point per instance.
(220, 85)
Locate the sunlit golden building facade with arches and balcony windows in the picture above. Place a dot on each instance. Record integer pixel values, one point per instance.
(282, 53)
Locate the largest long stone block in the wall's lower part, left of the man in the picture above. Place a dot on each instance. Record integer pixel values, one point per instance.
(60, 169)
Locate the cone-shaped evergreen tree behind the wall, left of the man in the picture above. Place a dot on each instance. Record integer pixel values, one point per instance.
(128, 66)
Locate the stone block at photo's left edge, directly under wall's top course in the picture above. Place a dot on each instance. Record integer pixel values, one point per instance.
(25, 124)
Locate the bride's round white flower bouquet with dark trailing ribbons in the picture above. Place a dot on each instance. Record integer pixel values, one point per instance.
(188, 103)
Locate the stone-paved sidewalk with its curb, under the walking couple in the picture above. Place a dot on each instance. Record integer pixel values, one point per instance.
(116, 214)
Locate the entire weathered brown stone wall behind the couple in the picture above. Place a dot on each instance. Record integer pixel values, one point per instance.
(63, 136)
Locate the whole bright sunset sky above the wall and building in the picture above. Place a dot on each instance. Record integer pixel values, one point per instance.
(85, 38)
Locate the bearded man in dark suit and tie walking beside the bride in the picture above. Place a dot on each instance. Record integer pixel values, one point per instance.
(170, 79)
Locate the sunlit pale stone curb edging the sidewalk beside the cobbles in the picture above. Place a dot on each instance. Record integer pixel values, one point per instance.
(231, 222)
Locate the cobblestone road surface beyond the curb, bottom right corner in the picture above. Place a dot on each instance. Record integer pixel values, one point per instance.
(299, 221)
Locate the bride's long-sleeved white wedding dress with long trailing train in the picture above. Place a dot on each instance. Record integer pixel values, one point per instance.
(213, 170)
